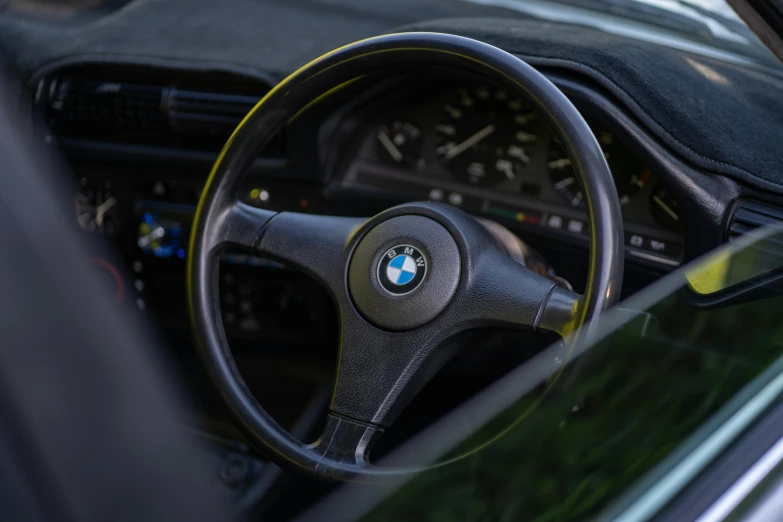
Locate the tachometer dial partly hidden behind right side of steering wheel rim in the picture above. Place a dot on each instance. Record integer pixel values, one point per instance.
(629, 175)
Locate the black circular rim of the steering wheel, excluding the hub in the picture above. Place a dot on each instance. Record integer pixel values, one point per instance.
(220, 221)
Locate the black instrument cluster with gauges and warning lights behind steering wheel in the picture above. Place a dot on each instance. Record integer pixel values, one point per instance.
(476, 146)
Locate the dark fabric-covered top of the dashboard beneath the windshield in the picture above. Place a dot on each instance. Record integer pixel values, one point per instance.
(715, 115)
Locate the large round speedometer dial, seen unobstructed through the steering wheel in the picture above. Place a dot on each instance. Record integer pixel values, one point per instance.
(485, 135)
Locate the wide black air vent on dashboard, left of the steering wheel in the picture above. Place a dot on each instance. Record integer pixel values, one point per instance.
(133, 109)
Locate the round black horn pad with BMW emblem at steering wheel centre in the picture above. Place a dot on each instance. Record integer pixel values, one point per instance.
(404, 272)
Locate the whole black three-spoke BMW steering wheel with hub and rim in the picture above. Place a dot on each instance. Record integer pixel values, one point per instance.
(405, 280)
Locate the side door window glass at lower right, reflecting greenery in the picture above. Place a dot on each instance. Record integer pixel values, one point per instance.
(614, 426)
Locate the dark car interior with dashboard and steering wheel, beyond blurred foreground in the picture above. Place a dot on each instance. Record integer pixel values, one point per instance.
(538, 162)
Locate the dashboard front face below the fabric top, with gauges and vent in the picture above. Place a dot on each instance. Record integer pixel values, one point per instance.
(141, 145)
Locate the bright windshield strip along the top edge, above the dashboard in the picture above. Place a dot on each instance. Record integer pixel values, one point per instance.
(706, 27)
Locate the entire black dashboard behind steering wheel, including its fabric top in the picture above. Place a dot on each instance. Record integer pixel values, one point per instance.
(682, 167)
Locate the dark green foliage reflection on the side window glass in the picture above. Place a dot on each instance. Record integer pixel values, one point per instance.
(585, 436)
